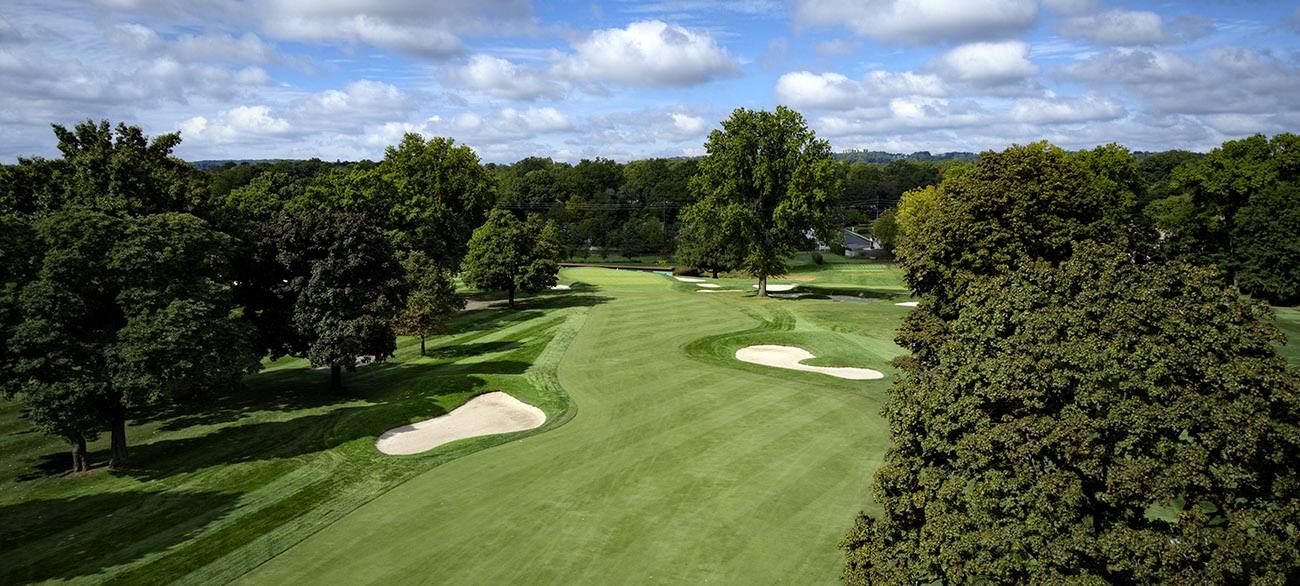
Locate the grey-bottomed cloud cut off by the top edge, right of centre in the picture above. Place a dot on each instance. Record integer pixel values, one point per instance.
(924, 23)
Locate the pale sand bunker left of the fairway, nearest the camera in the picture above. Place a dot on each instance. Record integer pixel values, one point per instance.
(486, 415)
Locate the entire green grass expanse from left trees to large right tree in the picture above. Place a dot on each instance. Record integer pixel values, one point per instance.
(682, 465)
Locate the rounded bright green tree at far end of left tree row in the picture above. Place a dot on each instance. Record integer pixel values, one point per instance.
(509, 255)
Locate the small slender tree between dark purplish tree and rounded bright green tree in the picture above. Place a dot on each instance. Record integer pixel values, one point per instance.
(431, 298)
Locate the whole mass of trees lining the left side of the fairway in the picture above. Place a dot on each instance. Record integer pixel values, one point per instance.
(131, 279)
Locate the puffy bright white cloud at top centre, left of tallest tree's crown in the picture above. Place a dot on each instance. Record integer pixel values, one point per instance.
(651, 54)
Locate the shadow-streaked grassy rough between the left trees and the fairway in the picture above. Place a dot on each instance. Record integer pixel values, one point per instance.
(226, 485)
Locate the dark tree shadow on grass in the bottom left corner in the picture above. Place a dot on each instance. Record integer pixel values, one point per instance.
(64, 539)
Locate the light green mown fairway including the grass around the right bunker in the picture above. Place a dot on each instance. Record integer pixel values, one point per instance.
(681, 467)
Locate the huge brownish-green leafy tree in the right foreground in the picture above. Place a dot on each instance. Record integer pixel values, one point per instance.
(1093, 423)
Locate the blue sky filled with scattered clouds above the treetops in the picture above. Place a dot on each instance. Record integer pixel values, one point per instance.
(341, 80)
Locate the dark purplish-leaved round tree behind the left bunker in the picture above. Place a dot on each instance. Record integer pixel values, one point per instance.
(330, 289)
